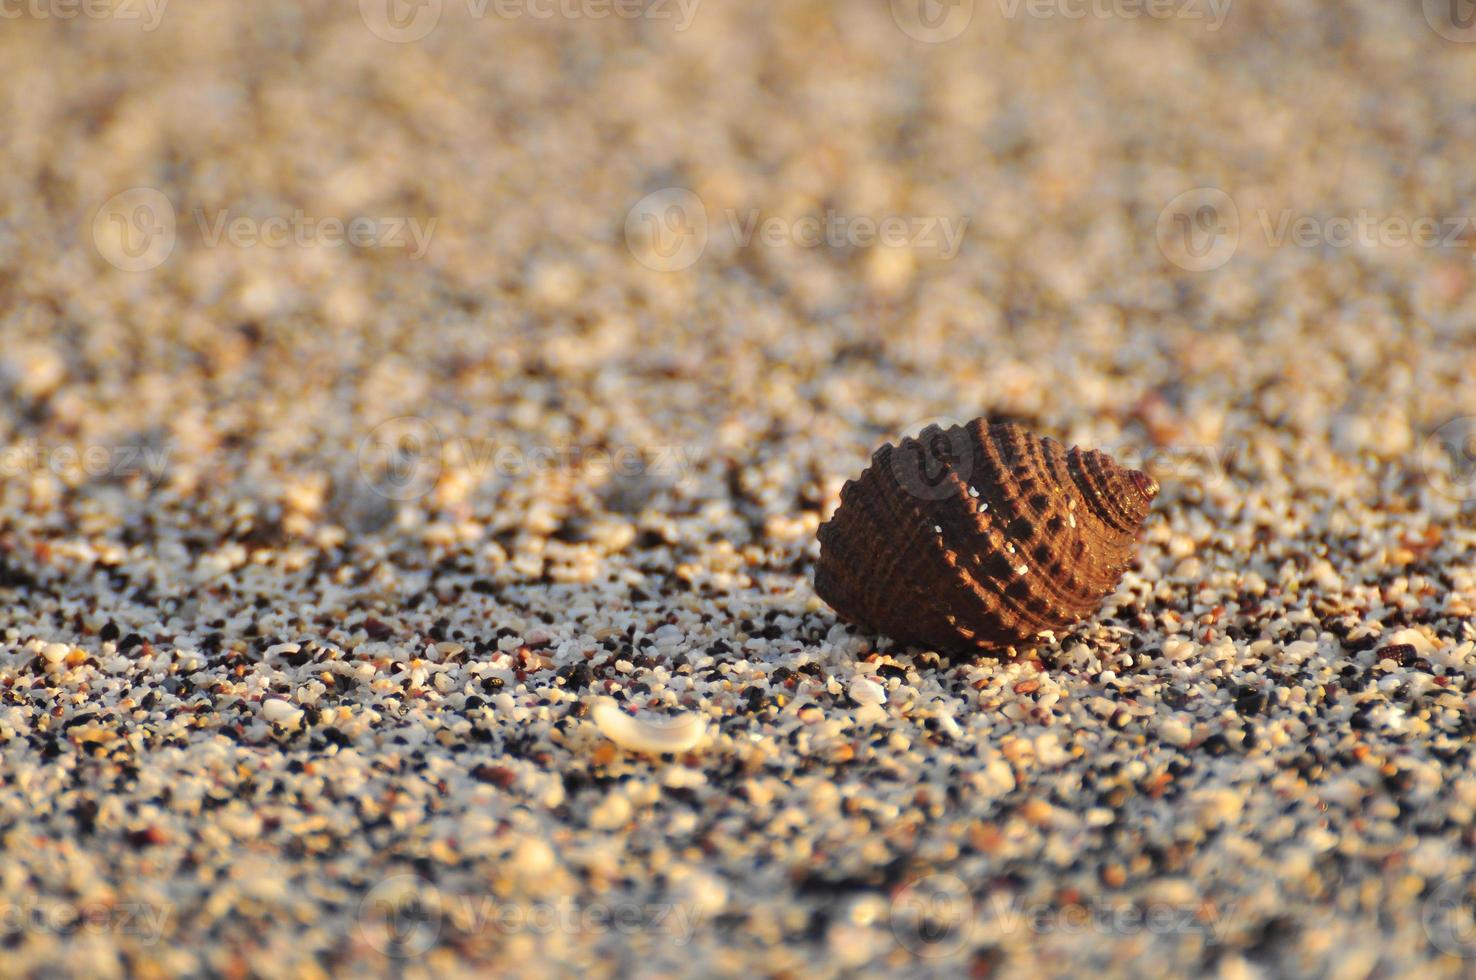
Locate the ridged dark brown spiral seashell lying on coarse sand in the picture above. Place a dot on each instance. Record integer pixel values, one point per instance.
(979, 538)
